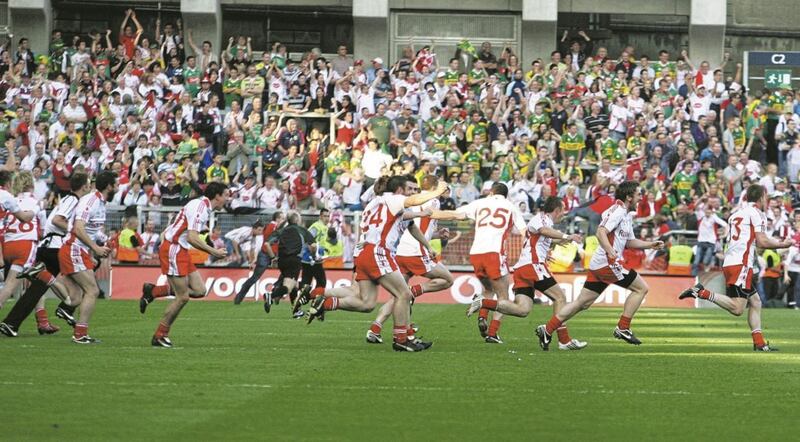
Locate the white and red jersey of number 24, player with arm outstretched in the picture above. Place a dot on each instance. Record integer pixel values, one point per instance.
(382, 222)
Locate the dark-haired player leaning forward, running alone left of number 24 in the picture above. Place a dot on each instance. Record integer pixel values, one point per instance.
(184, 280)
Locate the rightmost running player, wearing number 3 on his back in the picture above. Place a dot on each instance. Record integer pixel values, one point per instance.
(747, 225)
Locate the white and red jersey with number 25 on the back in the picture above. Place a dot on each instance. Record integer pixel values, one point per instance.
(495, 217)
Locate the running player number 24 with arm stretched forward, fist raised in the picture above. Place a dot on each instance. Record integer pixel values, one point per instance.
(381, 228)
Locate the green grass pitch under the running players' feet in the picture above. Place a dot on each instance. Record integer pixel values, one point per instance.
(238, 374)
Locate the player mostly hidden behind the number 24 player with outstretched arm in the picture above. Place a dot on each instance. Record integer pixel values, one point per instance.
(413, 259)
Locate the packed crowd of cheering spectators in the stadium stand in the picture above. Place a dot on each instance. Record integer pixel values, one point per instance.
(169, 115)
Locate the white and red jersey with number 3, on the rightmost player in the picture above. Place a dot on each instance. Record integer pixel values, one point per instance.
(744, 224)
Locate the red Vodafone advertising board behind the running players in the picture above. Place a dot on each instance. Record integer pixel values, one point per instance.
(223, 284)
